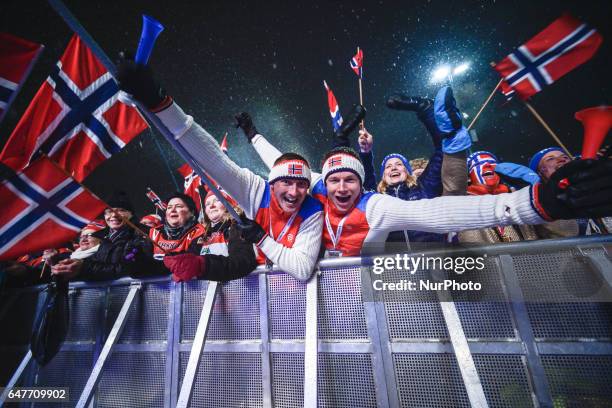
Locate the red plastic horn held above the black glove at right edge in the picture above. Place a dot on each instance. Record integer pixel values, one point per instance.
(597, 122)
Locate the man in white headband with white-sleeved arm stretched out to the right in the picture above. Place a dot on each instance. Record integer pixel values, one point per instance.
(354, 217)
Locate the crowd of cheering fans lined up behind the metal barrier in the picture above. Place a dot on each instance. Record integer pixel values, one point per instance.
(298, 215)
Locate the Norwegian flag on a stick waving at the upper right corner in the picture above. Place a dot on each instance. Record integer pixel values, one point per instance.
(559, 48)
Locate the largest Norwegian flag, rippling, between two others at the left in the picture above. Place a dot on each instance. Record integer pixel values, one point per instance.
(75, 118)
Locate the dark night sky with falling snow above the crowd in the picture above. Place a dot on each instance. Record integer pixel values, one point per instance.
(269, 59)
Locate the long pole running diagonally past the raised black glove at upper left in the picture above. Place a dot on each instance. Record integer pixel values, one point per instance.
(61, 9)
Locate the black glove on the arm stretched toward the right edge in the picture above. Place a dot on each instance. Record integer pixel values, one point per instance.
(579, 189)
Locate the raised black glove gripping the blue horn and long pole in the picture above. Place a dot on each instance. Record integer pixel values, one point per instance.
(138, 81)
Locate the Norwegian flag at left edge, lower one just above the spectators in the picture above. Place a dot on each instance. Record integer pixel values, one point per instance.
(42, 207)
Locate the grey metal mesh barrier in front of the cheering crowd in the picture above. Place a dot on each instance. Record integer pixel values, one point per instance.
(269, 340)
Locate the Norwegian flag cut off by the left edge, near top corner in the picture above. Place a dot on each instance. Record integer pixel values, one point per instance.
(17, 56)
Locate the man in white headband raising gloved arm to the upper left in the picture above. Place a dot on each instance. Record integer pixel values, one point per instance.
(288, 222)
